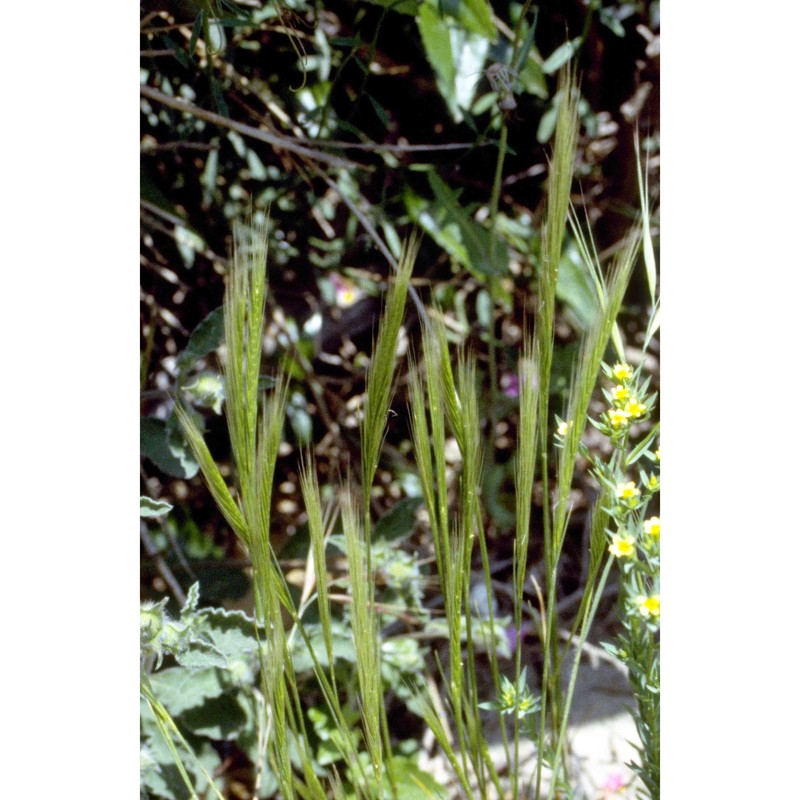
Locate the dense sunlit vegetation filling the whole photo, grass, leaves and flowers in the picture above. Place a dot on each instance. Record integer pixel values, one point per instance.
(356, 127)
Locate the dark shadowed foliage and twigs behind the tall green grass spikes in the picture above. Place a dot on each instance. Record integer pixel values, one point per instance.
(355, 73)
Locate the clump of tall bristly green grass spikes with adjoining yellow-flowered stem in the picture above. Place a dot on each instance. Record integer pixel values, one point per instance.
(443, 403)
